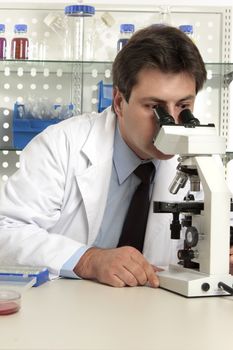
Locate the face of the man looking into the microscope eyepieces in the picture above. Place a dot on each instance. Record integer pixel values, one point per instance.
(136, 118)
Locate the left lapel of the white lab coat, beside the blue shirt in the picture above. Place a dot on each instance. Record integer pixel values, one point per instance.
(94, 181)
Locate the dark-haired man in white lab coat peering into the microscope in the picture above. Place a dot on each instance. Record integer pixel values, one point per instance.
(65, 207)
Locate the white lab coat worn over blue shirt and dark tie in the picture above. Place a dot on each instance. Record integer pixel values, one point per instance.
(55, 202)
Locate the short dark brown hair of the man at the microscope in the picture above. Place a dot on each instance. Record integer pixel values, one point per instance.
(165, 48)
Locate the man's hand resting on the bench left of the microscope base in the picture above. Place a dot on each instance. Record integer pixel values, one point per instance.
(118, 267)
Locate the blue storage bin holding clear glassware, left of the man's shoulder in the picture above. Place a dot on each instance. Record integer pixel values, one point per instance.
(24, 129)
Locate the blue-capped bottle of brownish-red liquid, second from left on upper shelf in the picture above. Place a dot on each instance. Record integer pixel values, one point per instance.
(20, 43)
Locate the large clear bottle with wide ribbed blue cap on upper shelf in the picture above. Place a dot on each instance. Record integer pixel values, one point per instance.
(75, 35)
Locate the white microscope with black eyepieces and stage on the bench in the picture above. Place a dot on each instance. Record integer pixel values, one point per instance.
(202, 268)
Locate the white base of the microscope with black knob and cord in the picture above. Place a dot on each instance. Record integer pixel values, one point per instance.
(191, 283)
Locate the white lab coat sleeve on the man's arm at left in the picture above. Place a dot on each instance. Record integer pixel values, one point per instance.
(30, 205)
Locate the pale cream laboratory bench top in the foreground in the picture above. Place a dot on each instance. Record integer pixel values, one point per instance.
(84, 315)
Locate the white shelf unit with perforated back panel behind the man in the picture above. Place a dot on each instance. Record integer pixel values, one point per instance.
(59, 81)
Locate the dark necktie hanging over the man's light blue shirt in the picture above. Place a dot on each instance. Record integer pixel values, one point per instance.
(134, 227)
